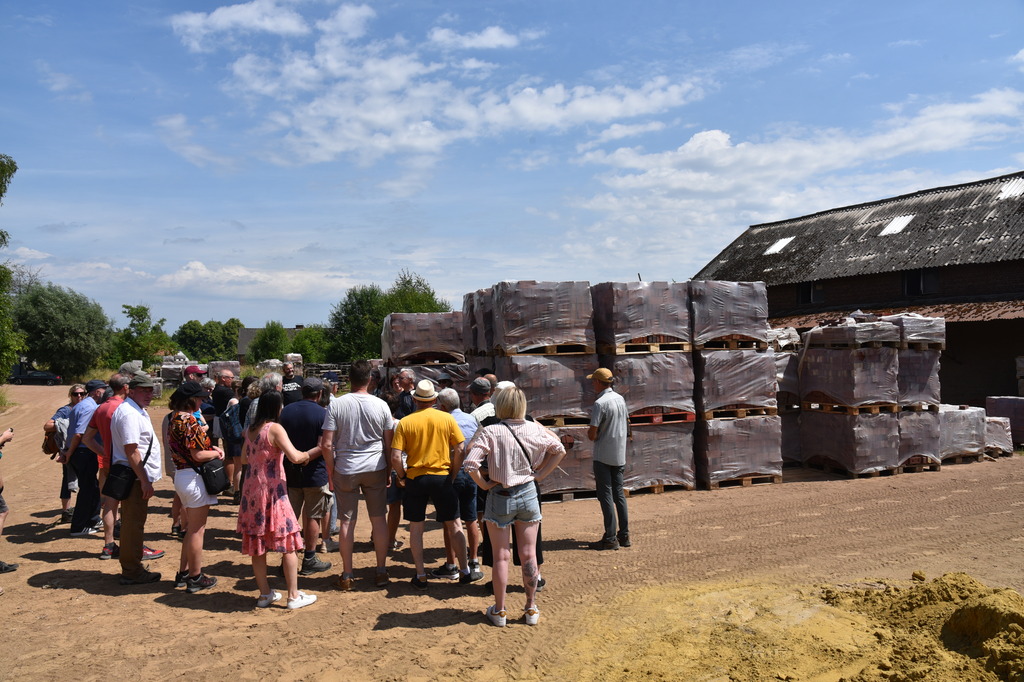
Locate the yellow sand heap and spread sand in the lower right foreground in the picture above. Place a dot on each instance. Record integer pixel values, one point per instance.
(953, 629)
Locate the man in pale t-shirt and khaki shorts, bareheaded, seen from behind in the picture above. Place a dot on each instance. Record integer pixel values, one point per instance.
(357, 439)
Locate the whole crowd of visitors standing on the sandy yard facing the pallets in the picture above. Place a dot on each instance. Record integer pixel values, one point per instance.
(295, 455)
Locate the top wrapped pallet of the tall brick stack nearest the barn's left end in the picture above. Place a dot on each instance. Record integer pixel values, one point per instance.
(724, 309)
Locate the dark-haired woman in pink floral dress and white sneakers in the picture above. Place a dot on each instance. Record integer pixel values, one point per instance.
(267, 522)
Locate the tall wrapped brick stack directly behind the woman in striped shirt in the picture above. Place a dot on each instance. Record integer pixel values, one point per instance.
(543, 340)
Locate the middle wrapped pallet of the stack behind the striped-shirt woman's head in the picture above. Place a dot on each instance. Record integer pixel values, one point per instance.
(556, 386)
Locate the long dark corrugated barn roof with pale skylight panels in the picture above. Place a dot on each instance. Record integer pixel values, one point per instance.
(977, 223)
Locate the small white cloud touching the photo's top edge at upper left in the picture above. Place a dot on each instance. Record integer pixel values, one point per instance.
(196, 29)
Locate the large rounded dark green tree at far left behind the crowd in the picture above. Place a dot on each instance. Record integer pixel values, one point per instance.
(64, 329)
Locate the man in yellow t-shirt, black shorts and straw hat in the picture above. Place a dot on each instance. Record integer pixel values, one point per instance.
(433, 443)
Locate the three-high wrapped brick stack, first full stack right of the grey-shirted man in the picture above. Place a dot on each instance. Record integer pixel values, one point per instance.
(739, 433)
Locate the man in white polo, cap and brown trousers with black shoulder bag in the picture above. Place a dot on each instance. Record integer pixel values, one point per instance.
(135, 443)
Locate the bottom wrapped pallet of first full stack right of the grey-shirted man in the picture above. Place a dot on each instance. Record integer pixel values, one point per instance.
(731, 449)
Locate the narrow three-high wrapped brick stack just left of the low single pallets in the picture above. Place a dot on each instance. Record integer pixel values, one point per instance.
(922, 343)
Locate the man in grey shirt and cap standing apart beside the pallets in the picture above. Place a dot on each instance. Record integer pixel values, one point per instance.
(610, 430)
